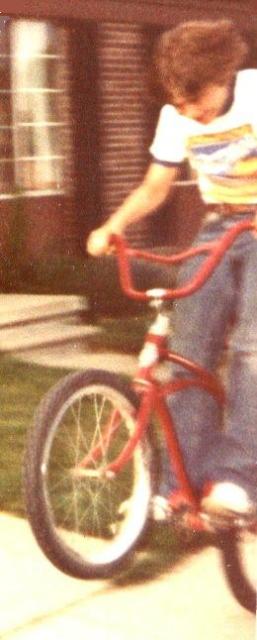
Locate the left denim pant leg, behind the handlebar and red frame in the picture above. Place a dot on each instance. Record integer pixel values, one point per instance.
(200, 327)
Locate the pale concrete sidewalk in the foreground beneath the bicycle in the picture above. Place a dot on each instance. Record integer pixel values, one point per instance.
(37, 602)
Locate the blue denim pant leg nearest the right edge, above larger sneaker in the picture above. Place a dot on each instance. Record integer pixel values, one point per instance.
(236, 458)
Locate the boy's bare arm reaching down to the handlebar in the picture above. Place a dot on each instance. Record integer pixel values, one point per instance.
(144, 200)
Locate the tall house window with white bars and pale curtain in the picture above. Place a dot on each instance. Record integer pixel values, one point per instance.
(34, 109)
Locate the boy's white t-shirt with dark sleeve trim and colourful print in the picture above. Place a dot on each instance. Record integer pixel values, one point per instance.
(223, 153)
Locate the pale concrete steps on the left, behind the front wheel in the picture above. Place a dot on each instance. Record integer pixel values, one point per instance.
(52, 331)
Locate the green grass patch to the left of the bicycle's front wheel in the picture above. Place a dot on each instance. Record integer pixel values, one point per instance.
(22, 387)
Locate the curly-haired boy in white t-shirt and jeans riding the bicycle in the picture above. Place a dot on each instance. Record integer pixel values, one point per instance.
(211, 119)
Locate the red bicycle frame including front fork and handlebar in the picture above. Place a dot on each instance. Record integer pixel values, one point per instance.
(152, 392)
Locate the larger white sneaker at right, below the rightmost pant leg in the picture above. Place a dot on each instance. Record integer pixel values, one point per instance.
(225, 497)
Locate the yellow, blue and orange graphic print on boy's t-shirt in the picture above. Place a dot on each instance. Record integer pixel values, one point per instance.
(226, 163)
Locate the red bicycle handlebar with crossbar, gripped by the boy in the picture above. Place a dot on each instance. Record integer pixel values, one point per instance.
(214, 250)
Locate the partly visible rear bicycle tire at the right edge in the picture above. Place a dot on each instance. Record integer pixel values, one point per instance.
(238, 551)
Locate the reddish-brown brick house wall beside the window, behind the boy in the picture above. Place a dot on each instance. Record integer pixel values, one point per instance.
(59, 222)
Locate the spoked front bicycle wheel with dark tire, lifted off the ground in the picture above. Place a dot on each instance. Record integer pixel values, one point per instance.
(86, 520)
